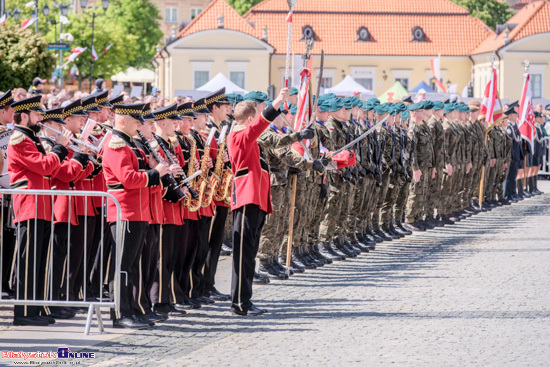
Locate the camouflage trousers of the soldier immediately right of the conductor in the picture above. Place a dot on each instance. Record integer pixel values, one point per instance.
(274, 224)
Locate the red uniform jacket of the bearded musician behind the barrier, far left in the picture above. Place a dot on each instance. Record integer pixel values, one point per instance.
(29, 167)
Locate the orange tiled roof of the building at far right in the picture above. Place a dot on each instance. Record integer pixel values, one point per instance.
(531, 19)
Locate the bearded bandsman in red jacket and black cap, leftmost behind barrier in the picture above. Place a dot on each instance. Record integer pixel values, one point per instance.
(30, 168)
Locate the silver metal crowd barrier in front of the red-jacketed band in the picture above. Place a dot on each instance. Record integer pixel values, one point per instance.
(46, 299)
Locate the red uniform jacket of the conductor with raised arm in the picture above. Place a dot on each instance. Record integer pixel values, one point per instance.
(251, 183)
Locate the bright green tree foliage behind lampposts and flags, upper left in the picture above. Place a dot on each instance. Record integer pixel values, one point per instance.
(131, 25)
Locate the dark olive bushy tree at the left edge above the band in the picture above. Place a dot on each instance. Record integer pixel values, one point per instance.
(23, 56)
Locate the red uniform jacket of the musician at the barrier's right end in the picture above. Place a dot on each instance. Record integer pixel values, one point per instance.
(127, 179)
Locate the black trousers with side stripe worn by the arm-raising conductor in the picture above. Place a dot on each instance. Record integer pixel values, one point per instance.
(248, 222)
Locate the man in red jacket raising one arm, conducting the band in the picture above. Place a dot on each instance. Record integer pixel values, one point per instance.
(251, 197)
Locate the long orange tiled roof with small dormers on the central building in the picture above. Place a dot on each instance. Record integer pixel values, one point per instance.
(449, 29)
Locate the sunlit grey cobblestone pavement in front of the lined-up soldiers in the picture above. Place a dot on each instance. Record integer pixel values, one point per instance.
(472, 294)
